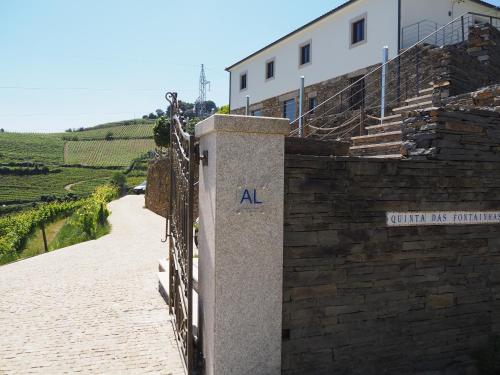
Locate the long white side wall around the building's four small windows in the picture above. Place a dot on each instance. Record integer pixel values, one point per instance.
(331, 55)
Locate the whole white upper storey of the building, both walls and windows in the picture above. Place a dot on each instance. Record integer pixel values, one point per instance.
(341, 41)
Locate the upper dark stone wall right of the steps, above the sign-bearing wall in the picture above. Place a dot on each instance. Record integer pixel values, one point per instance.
(467, 128)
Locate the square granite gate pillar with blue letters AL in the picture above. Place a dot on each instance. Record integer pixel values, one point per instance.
(241, 192)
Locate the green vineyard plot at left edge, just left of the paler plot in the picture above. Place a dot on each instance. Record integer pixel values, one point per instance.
(34, 148)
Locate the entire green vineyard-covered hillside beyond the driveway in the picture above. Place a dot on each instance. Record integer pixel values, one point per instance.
(74, 162)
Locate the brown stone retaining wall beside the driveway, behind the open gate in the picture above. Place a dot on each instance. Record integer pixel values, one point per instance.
(158, 183)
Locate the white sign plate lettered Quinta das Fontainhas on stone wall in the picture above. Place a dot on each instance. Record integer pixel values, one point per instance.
(411, 219)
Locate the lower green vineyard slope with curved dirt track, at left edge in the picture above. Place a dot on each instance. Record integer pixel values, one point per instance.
(23, 189)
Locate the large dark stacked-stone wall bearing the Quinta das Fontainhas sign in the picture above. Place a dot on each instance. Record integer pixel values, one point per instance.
(364, 298)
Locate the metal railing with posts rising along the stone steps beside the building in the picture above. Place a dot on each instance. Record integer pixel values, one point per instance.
(359, 104)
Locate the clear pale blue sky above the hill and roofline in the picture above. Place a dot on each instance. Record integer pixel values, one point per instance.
(73, 63)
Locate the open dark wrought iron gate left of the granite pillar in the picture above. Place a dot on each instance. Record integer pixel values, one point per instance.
(180, 232)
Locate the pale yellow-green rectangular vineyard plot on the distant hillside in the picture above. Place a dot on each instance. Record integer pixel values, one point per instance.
(107, 153)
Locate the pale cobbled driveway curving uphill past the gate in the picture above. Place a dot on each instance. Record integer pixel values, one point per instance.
(93, 307)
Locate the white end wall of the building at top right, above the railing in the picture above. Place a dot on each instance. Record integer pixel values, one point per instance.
(437, 10)
